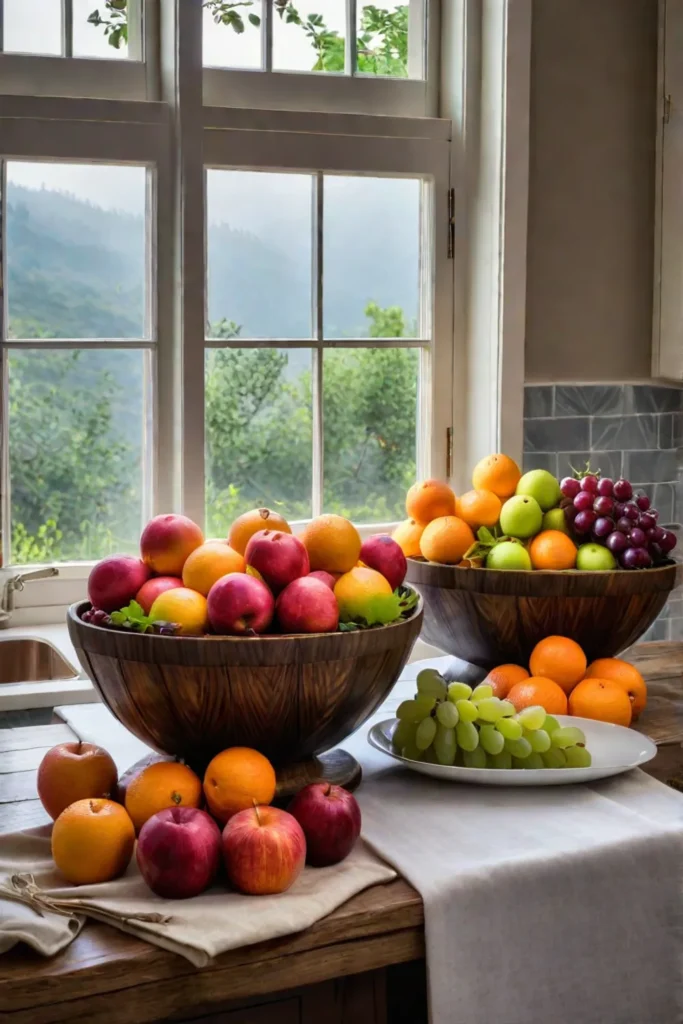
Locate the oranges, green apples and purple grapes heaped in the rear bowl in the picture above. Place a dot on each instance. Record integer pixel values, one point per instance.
(534, 522)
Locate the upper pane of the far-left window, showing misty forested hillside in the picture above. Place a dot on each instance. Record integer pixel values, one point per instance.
(76, 251)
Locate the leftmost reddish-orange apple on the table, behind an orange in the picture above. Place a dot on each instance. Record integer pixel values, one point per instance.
(75, 772)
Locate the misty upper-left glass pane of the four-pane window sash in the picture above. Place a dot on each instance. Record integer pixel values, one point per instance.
(260, 254)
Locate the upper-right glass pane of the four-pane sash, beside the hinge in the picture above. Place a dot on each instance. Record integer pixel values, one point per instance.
(385, 271)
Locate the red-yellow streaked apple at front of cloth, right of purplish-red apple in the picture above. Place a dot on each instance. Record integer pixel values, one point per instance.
(265, 850)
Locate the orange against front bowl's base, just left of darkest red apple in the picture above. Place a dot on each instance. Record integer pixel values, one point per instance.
(236, 780)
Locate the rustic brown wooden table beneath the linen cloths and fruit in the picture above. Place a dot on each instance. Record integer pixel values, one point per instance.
(341, 971)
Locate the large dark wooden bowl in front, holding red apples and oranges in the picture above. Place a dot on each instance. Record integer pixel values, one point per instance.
(289, 697)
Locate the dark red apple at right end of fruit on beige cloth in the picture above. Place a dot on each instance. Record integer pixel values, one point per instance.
(330, 818)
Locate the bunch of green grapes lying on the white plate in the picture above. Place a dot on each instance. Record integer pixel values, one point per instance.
(453, 724)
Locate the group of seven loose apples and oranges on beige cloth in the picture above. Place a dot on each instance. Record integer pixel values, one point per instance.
(181, 846)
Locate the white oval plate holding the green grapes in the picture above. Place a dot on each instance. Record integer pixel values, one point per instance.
(615, 750)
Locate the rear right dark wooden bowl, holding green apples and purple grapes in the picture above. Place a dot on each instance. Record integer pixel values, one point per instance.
(492, 617)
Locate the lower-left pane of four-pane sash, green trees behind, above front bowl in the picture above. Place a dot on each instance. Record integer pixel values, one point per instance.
(259, 434)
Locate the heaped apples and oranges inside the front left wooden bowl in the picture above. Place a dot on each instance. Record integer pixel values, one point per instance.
(261, 580)
